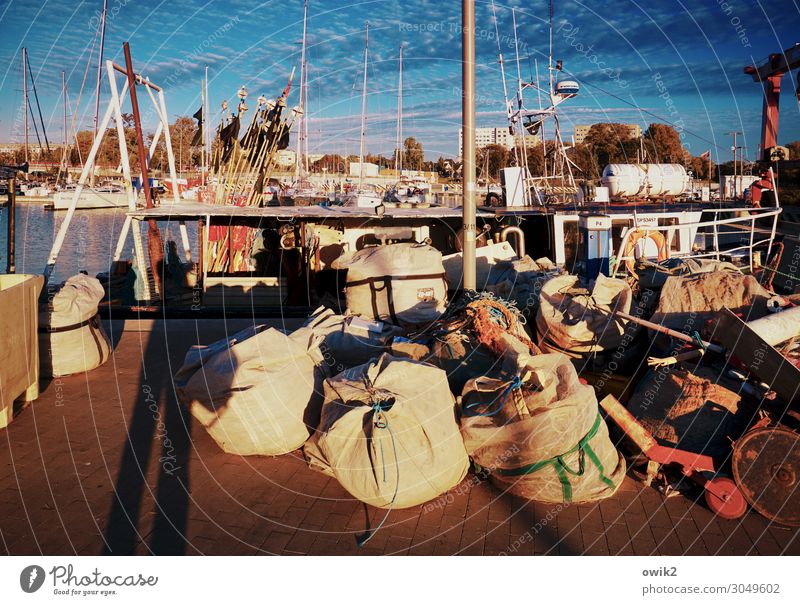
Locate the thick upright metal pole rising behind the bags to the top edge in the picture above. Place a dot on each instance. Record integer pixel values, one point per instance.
(468, 130)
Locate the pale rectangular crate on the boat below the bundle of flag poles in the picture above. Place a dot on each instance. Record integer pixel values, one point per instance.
(244, 291)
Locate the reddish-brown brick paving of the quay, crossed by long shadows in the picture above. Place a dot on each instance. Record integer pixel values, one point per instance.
(108, 462)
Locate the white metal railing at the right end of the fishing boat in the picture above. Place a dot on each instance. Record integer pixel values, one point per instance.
(751, 215)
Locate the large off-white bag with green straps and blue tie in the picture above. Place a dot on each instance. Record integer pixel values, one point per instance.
(539, 433)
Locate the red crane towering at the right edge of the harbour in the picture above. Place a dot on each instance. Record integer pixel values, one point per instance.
(770, 73)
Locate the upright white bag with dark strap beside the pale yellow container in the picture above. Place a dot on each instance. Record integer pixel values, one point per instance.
(71, 337)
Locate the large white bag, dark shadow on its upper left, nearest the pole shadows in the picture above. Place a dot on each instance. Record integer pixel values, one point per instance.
(257, 393)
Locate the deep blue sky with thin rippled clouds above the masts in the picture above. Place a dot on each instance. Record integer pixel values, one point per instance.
(679, 60)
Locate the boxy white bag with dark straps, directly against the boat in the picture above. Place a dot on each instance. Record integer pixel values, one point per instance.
(402, 283)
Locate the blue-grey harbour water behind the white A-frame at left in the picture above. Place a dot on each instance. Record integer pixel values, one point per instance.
(89, 245)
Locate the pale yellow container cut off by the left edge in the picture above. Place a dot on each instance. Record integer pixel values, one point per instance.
(19, 342)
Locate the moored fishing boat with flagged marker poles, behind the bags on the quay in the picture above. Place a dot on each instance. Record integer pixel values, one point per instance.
(256, 251)
